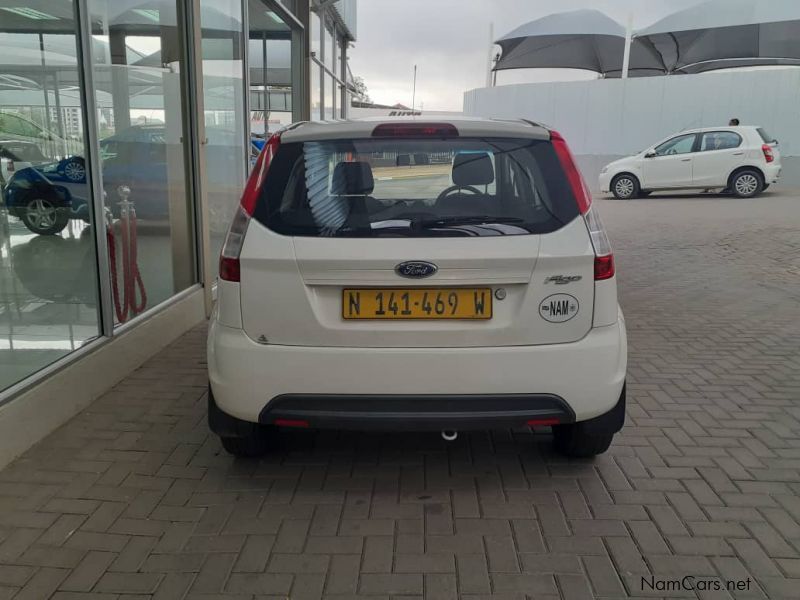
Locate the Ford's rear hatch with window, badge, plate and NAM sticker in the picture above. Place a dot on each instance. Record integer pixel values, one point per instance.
(417, 239)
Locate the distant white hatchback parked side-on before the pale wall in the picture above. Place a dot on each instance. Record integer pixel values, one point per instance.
(741, 160)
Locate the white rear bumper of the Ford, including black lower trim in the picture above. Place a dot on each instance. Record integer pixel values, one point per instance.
(260, 382)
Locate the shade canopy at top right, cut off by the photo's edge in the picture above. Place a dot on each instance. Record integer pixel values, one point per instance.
(727, 33)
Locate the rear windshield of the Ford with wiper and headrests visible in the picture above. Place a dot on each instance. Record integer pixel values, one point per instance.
(416, 188)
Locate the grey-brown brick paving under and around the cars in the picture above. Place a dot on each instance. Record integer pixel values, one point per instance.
(133, 499)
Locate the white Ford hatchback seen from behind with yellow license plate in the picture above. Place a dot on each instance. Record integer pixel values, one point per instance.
(417, 276)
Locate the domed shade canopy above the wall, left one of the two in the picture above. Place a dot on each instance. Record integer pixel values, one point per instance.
(581, 39)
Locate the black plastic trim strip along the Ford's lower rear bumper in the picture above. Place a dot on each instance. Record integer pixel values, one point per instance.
(416, 412)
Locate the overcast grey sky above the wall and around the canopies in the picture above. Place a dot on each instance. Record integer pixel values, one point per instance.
(449, 41)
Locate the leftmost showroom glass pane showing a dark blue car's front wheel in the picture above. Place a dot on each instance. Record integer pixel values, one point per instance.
(48, 268)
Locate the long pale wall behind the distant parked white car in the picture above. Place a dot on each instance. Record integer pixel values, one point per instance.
(606, 119)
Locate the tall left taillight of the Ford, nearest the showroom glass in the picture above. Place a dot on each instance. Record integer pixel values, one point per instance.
(229, 269)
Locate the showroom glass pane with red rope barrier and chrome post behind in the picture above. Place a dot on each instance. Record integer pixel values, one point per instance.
(139, 71)
